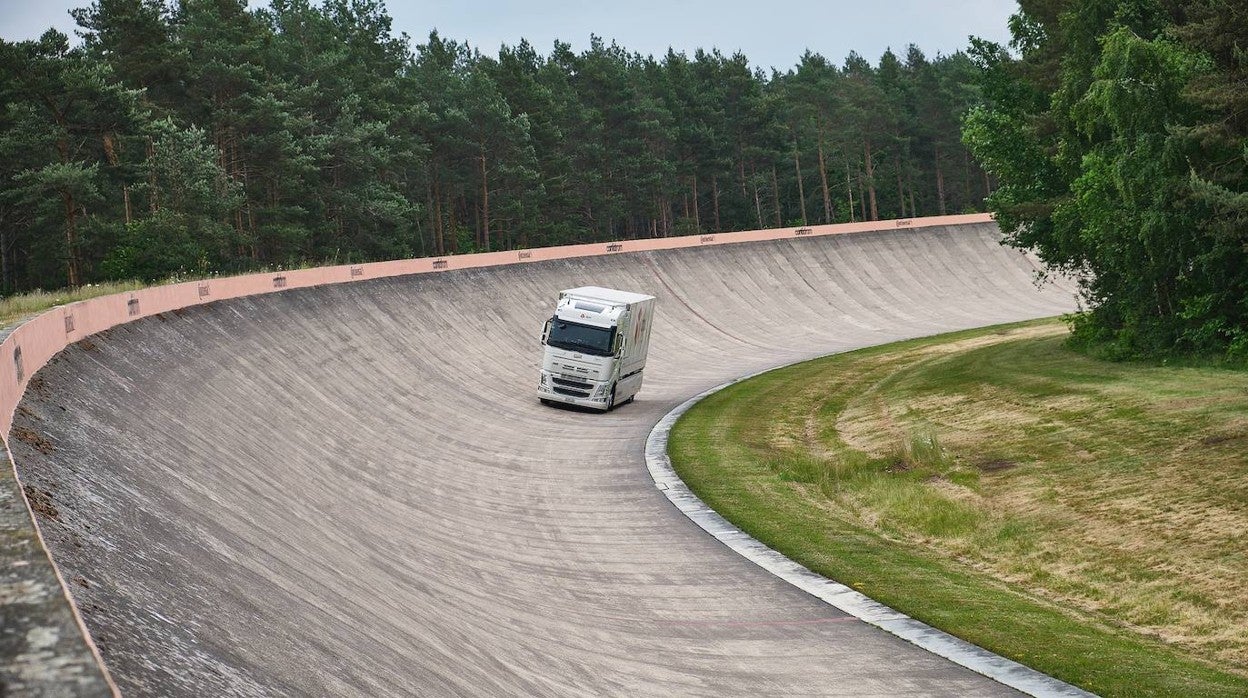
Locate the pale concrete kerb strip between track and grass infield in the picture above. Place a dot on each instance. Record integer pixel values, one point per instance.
(856, 604)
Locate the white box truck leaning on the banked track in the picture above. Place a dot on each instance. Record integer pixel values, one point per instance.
(593, 350)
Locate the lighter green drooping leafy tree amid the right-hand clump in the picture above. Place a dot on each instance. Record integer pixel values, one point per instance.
(1133, 197)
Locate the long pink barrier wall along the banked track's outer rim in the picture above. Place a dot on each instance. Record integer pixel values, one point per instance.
(32, 345)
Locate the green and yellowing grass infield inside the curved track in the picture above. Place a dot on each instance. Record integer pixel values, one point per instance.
(1086, 519)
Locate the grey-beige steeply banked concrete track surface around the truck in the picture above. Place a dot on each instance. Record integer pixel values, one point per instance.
(353, 490)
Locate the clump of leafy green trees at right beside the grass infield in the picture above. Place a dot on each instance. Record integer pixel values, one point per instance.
(1119, 132)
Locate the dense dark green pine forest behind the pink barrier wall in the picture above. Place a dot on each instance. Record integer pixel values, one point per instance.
(200, 137)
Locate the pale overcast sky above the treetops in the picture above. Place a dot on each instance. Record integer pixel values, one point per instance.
(773, 34)
